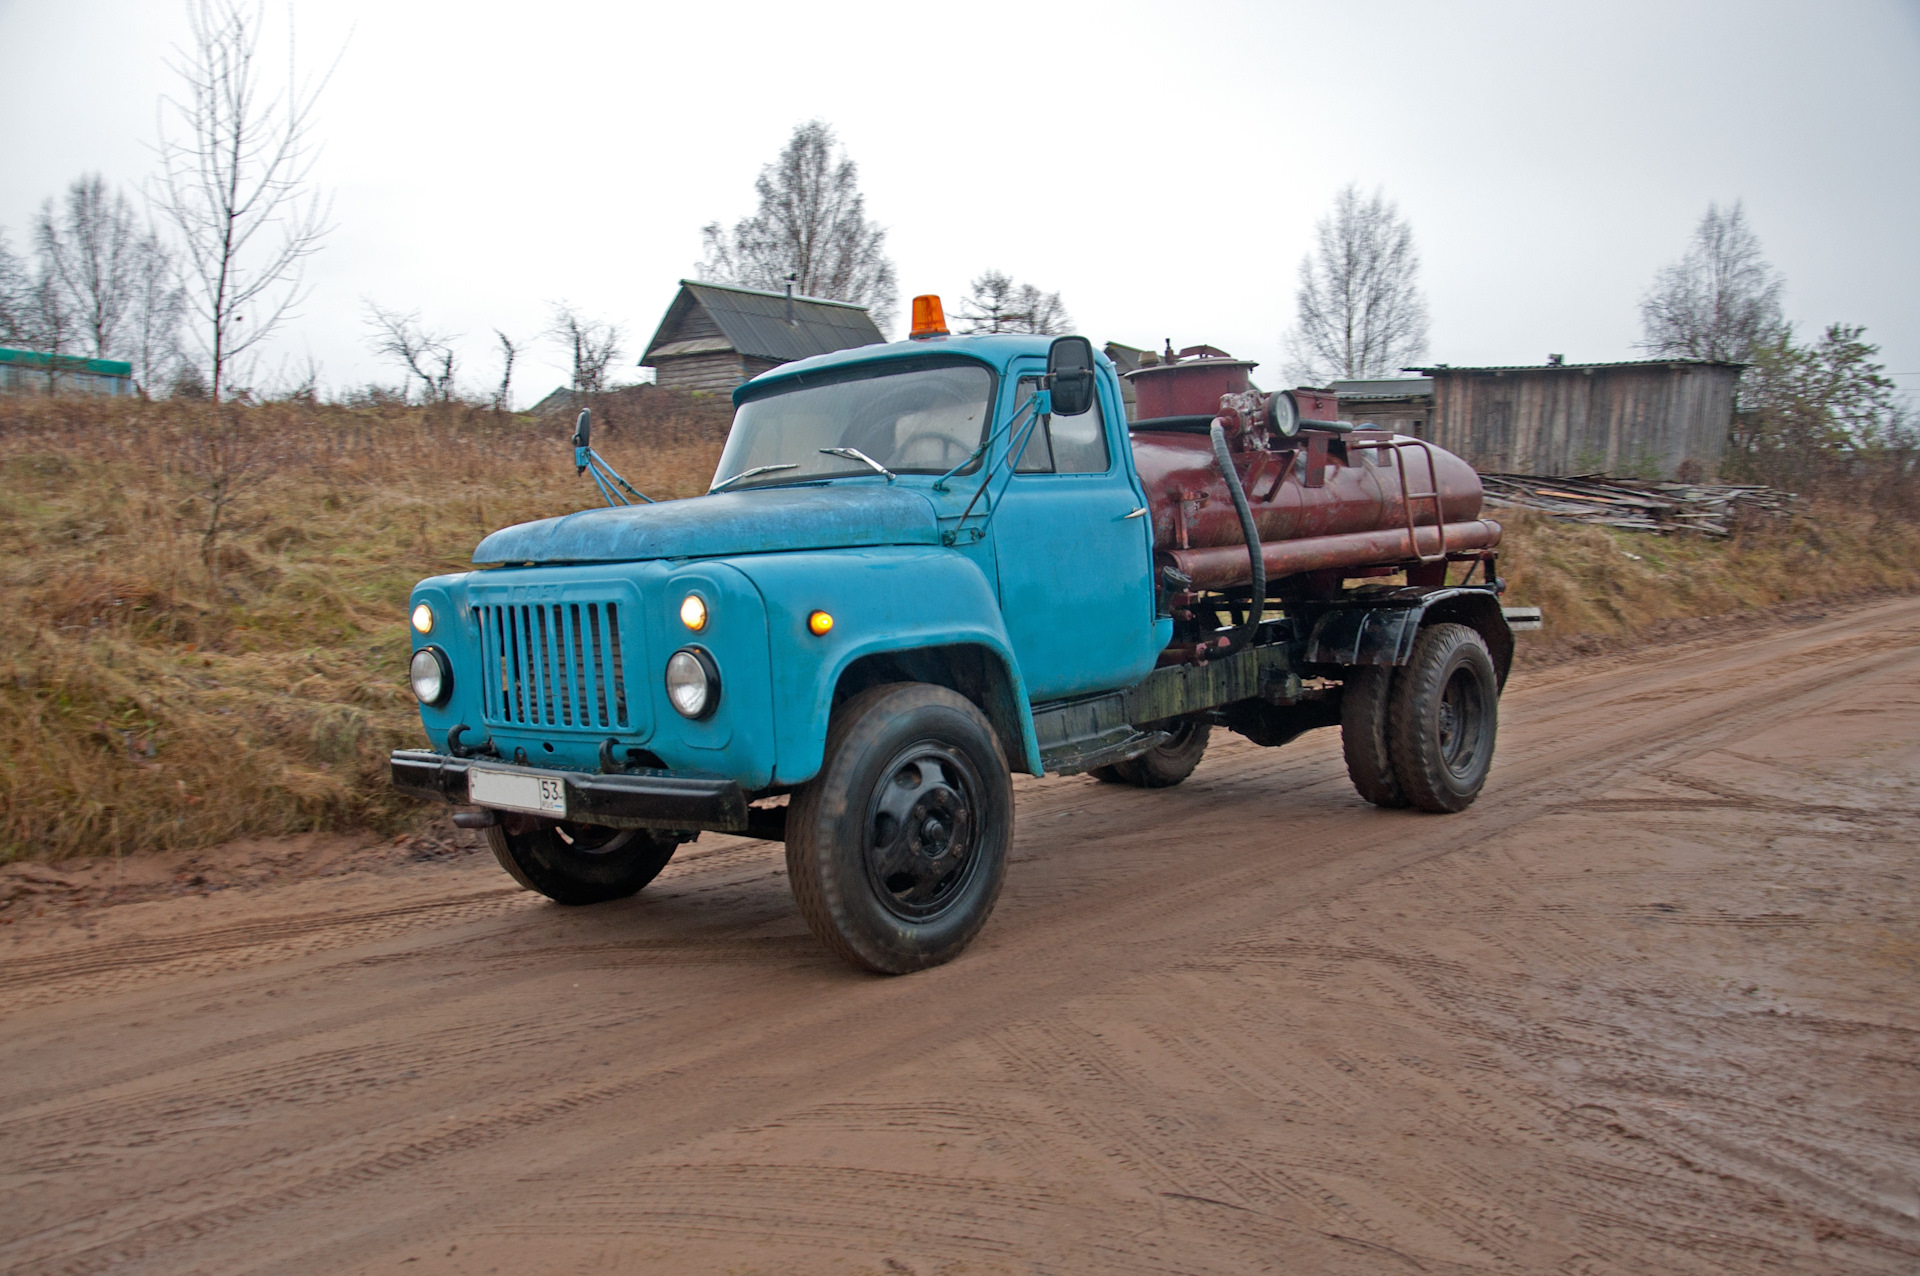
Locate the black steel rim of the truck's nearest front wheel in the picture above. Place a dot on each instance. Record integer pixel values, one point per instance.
(923, 832)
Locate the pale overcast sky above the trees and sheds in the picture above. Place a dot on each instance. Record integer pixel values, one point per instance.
(1159, 164)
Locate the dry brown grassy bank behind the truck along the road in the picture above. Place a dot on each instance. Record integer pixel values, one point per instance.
(162, 696)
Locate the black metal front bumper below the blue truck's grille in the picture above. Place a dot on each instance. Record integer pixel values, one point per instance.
(625, 801)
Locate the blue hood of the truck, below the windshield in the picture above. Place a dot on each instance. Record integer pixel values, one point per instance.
(732, 523)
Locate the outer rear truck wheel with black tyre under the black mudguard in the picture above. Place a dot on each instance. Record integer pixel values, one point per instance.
(1445, 719)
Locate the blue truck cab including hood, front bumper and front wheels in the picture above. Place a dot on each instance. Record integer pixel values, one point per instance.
(921, 567)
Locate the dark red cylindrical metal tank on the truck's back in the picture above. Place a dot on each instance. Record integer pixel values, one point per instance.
(1320, 502)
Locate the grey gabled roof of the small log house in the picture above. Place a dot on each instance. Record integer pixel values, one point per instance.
(757, 323)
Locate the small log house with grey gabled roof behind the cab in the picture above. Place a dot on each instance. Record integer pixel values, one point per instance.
(717, 337)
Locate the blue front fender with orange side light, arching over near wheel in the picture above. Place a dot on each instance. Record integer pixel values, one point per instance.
(882, 600)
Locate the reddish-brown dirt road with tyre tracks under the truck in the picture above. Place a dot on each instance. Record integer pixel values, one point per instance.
(1648, 1008)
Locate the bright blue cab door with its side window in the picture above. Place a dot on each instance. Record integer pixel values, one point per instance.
(1074, 552)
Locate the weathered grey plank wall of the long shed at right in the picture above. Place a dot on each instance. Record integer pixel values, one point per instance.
(1631, 419)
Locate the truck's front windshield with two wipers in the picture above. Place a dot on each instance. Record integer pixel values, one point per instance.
(913, 421)
